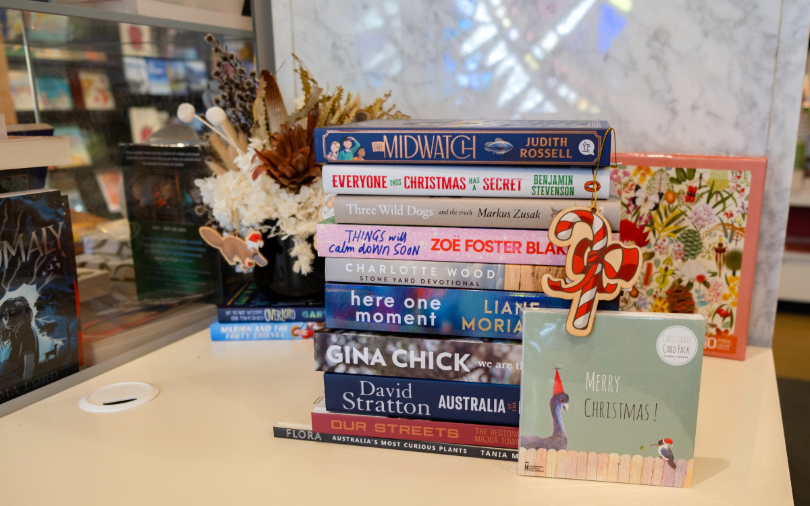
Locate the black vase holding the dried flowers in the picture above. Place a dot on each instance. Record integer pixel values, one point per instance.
(279, 279)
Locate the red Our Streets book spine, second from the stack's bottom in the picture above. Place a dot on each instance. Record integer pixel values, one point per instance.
(428, 431)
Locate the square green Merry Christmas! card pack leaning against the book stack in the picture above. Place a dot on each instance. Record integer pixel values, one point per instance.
(619, 405)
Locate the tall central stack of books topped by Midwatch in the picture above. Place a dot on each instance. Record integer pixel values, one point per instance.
(438, 240)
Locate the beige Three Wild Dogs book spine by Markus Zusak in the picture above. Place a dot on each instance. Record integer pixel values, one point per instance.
(532, 214)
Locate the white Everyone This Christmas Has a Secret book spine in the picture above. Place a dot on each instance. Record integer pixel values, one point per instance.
(465, 181)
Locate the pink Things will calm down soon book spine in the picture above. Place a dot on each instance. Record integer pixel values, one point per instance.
(475, 245)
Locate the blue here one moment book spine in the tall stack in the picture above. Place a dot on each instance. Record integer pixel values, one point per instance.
(444, 311)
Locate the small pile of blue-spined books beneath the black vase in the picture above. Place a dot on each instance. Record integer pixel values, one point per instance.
(249, 314)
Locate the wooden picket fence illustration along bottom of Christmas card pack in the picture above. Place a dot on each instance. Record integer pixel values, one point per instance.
(605, 467)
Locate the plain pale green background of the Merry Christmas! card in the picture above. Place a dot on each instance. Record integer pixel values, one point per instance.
(618, 345)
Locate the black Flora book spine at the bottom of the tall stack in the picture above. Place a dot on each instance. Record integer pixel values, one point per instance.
(398, 444)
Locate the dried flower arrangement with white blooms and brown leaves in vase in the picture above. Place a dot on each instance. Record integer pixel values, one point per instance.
(265, 177)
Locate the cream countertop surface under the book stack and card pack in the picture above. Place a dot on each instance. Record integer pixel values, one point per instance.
(207, 439)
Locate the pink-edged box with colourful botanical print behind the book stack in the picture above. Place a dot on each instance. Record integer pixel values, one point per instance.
(696, 221)
